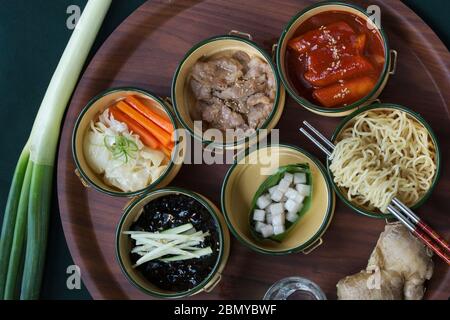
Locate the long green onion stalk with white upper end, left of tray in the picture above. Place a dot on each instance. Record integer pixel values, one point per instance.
(25, 227)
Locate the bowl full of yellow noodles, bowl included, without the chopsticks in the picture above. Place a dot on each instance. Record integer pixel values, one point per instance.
(383, 151)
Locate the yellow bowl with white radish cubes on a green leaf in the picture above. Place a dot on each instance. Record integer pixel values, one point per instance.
(278, 200)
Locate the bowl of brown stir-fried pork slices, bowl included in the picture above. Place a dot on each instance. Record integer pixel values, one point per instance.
(226, 91)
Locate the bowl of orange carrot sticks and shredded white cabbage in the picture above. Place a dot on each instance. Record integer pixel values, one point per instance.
(125, 142)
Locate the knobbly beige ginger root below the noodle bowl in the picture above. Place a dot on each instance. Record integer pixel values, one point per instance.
(397, 269)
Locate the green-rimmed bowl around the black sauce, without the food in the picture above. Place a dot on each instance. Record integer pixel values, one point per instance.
(124, 244)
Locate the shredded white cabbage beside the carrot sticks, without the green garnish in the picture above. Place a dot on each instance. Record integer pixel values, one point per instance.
(134, 172)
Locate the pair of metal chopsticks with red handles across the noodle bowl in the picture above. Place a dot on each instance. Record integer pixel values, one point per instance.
(415, 224)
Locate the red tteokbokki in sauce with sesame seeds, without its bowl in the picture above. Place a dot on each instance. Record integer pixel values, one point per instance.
(334, 59)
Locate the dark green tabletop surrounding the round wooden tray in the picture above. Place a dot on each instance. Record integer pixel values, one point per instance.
(33, 35)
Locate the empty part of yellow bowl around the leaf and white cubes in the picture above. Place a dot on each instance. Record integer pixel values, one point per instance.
(245, 176)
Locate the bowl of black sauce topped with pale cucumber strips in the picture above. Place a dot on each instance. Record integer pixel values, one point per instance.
(172, 243)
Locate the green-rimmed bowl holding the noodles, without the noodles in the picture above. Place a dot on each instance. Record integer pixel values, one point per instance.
(384, 107)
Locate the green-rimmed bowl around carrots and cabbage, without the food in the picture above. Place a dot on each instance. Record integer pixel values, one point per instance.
(92, 110)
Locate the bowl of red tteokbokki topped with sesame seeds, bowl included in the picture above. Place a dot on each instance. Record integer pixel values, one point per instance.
(333, 58)
